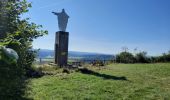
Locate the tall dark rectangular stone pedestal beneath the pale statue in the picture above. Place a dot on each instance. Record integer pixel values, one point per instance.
(61, 48)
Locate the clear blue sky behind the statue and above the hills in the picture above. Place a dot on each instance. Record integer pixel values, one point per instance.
(105, 26)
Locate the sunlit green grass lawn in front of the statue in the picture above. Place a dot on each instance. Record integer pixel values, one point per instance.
(143, 81)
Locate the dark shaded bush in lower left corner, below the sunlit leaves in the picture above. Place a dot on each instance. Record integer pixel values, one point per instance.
(11, 75)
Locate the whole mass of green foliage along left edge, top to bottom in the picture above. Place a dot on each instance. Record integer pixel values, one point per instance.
(19, 35)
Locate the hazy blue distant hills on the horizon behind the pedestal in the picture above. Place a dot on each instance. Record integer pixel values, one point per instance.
(44, 53)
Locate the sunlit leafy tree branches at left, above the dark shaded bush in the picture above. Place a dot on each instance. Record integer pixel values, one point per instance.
(21, 32)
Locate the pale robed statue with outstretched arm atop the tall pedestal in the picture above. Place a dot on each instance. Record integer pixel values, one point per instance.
(62, 20)
